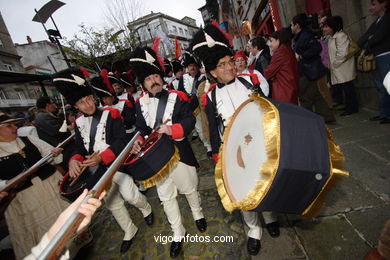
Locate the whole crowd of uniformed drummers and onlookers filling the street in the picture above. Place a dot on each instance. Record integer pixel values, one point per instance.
(185, 98)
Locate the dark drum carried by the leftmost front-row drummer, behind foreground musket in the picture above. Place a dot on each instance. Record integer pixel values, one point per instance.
(87, 180)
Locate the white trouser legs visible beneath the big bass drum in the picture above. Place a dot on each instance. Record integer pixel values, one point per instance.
(251, 218)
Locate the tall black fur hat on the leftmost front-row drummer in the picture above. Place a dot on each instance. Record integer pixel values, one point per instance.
(72, 84)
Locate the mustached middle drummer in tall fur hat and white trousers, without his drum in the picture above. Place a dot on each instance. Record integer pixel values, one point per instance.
(150, 110)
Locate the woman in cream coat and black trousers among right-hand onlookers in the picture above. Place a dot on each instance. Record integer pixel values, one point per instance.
(342, 67)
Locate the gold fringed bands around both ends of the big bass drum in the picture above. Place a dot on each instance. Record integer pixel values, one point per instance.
(271, 125)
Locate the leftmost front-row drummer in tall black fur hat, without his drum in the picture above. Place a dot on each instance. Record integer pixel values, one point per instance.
(108, 142)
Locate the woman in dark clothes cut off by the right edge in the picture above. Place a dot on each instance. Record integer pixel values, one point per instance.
(376, 40)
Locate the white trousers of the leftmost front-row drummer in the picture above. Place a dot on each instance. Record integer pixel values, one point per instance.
(123, 185)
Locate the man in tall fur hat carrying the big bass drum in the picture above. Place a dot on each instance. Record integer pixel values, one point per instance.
(229, 93)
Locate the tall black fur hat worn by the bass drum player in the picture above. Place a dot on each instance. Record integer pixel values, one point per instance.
(210, 45)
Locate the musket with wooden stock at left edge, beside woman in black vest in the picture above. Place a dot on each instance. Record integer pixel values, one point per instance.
(13, 183)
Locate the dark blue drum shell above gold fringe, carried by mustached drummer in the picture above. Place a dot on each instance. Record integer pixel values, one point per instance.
(152, 160)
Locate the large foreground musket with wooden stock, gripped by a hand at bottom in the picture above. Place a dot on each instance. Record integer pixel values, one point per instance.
(57, 244)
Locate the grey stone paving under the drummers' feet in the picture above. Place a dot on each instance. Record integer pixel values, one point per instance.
(346, 228)
